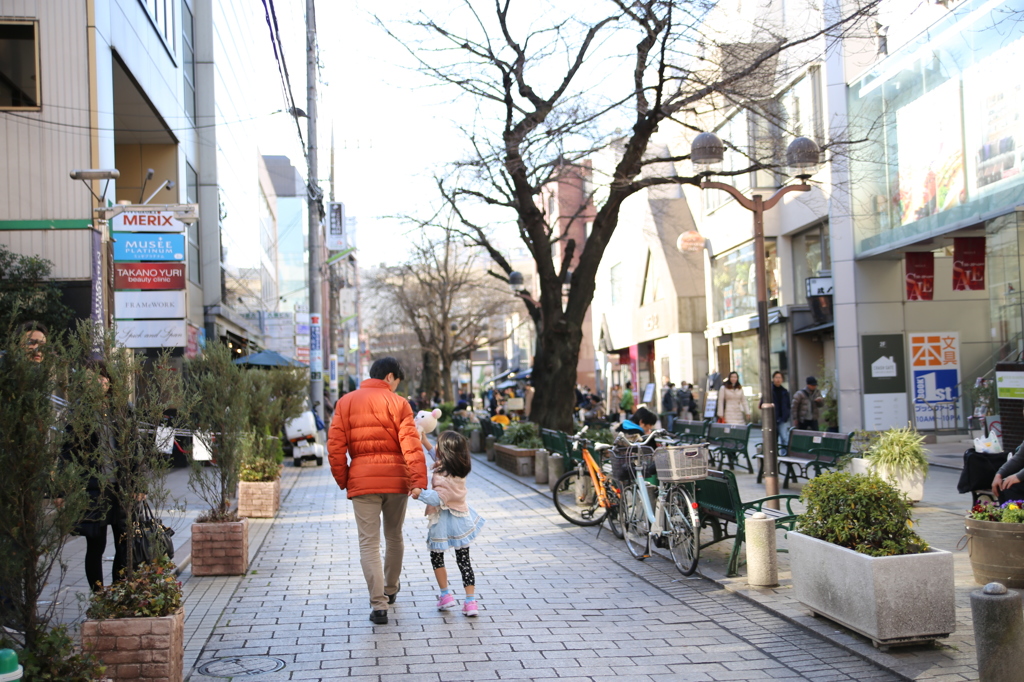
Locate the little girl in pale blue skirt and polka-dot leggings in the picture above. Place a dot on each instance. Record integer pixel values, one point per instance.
(454, 525)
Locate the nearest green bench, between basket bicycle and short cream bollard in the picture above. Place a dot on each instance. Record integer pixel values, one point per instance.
(719, 505)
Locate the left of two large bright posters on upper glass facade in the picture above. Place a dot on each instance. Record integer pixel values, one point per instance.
(931, 156)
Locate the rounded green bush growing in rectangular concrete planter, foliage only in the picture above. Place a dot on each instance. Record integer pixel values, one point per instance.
(863, 514)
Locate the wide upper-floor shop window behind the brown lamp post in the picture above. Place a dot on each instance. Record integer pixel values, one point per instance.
(736, 281)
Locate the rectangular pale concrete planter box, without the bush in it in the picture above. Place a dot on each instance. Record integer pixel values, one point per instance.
(892, 601)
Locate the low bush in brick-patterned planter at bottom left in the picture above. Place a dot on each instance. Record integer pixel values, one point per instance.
(137, 626)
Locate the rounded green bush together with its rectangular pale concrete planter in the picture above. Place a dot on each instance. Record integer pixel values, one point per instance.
(857, 561)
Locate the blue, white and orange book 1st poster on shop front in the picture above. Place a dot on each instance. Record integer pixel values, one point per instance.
(934, 379)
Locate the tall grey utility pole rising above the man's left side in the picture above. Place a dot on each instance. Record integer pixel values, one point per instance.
(315, 196)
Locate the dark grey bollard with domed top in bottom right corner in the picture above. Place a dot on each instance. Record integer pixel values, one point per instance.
(999, 632)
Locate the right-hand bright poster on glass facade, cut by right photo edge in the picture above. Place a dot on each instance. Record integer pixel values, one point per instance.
(994, 99)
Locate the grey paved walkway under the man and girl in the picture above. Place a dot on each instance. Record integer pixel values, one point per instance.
(557, 604)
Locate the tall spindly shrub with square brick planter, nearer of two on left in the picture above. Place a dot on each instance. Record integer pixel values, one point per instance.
(220, 536)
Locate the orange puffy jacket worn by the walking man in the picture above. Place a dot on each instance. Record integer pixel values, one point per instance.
(373, 445)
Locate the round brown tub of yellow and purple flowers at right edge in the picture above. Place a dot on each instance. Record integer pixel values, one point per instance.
(996, 543)
